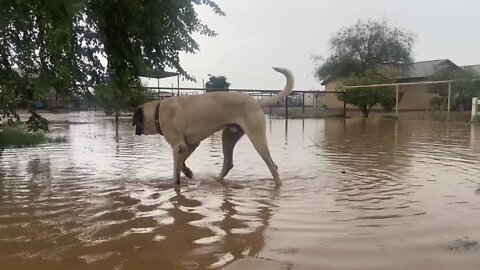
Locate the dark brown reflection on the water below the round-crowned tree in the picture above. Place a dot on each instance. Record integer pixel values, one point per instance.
(368, 145)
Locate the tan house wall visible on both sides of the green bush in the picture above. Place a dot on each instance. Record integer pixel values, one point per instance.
(415, 97)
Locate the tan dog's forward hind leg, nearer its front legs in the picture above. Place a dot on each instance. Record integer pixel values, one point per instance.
(230, 137)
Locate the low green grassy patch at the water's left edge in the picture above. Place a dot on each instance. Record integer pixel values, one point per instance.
(16, 137)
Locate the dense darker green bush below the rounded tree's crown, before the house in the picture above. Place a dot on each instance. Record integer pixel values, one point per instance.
(366, 98)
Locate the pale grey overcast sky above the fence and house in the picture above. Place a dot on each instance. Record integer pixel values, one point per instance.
(258, 34)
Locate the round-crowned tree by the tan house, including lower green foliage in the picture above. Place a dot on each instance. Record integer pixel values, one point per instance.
(358, 56)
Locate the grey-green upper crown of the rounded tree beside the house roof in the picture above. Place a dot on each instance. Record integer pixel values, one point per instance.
(363, 46)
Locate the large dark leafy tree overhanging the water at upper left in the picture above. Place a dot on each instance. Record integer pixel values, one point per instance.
(73, 46)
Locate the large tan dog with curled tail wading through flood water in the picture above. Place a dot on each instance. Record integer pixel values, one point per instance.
(187, 120)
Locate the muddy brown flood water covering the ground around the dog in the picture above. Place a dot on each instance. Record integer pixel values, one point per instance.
(356, 194)
